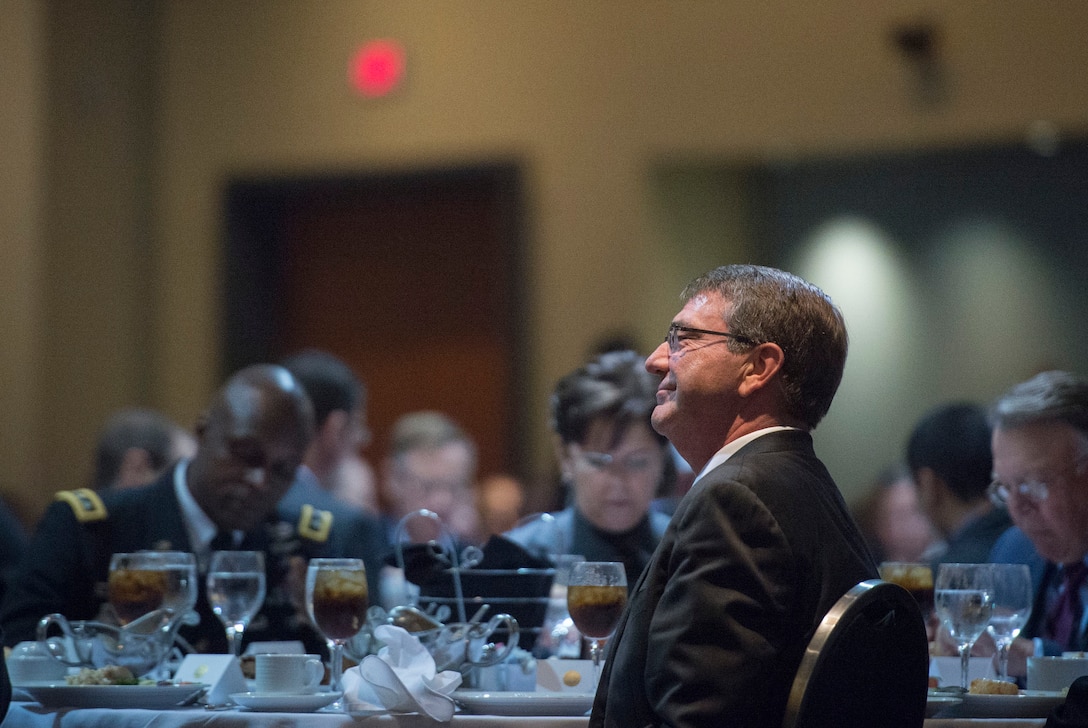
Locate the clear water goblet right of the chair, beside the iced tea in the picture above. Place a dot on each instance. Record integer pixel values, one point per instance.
(965, 597)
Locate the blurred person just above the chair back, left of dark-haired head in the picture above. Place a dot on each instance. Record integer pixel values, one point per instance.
(892, 520)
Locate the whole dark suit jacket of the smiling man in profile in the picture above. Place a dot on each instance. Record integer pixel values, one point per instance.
(756, 556)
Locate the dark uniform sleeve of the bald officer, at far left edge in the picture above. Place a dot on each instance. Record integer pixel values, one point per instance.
(55, 575)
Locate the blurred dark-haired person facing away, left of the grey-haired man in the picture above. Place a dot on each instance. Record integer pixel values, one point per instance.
(951, 464)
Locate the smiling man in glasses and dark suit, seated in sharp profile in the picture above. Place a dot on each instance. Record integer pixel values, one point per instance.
(763, 546)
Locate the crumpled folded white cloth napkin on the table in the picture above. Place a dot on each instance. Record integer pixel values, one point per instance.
(401, 677)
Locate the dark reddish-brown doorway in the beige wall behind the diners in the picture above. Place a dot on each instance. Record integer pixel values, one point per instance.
(412, 279)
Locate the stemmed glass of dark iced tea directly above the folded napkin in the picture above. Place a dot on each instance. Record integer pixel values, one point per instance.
(337, 599)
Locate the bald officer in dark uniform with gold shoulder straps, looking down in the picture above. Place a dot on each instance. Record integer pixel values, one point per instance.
(251, 443)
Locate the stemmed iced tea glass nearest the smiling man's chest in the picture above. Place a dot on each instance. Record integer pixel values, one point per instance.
(597, 595)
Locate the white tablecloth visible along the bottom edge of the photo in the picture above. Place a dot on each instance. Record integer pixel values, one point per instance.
(33, 715)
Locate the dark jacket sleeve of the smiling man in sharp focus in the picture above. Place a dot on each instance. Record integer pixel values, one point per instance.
(723, 619)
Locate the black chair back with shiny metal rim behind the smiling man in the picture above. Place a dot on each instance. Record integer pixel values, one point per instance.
(867, 665)
